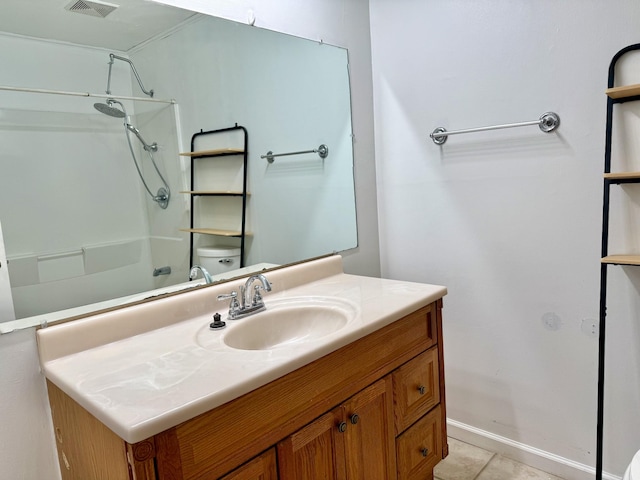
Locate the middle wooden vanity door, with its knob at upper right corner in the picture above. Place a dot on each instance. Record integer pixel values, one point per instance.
(314, 452)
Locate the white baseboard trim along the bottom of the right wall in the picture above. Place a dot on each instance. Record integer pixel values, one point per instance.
(540, 459)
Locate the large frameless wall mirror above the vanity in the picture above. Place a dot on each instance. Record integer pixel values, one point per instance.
(81, 231)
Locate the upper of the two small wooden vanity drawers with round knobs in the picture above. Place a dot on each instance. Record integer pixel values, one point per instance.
(416, 388)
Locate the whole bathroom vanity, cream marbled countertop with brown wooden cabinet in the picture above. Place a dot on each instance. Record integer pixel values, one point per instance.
(150, 392)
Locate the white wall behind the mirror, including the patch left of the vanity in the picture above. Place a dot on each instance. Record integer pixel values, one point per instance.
(27, 455)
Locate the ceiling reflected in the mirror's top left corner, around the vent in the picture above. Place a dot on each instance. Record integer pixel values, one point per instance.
(133, 22)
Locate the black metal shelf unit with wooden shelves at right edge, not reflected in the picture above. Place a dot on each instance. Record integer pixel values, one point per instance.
(615, 95)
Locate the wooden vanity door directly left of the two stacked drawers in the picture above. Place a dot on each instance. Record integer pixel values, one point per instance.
(369, 436)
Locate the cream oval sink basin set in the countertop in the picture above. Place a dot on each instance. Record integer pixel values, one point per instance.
(290, 321)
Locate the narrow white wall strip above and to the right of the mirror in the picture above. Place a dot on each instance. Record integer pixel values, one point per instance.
(343, 23)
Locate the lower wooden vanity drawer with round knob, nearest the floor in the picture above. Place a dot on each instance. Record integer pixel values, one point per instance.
(419, 449)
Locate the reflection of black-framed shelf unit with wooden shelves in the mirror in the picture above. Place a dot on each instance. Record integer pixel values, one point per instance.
(242, 194)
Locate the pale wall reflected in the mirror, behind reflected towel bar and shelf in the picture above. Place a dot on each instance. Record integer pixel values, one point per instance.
(290, 94)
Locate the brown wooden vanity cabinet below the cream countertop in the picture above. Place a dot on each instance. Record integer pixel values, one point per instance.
(385, 391)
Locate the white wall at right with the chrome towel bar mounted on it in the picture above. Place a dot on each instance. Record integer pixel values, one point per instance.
(510, 220)
